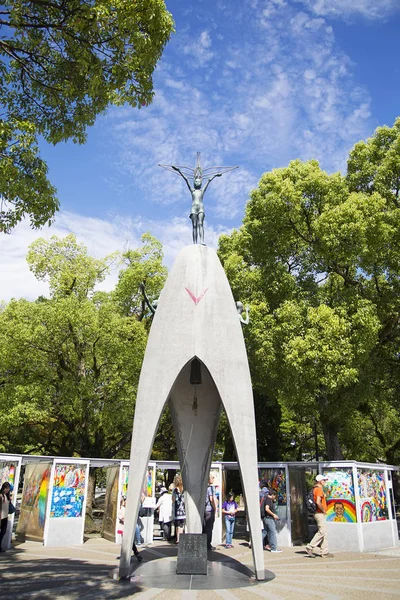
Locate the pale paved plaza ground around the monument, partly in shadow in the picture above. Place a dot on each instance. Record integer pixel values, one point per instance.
(32, 571)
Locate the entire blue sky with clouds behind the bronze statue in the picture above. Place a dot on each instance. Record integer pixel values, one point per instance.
(253, 83)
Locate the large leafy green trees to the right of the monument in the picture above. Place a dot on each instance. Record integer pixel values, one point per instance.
(317, 259)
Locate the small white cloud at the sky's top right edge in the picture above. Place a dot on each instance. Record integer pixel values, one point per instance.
(350, 9)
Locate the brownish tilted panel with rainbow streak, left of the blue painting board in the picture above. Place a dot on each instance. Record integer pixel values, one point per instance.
(34, 500)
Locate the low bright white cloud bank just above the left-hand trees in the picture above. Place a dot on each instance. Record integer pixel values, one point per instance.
(101, 237)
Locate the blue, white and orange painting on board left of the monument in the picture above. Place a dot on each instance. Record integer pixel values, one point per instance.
(68, 491)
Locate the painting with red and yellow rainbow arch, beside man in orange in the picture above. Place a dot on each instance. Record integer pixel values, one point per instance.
(339, 491)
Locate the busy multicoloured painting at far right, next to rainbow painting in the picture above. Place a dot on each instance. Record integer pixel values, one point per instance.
(372, 490)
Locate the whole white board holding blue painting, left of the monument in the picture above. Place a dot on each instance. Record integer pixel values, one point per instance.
(66, 506)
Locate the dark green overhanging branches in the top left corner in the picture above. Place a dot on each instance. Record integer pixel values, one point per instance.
(63, 63)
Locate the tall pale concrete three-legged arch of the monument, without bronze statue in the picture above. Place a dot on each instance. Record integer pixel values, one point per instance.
(196, 317)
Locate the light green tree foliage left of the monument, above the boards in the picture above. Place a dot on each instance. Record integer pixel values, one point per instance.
(70, 363)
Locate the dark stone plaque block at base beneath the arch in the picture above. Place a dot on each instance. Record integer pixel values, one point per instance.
(192, 554)
